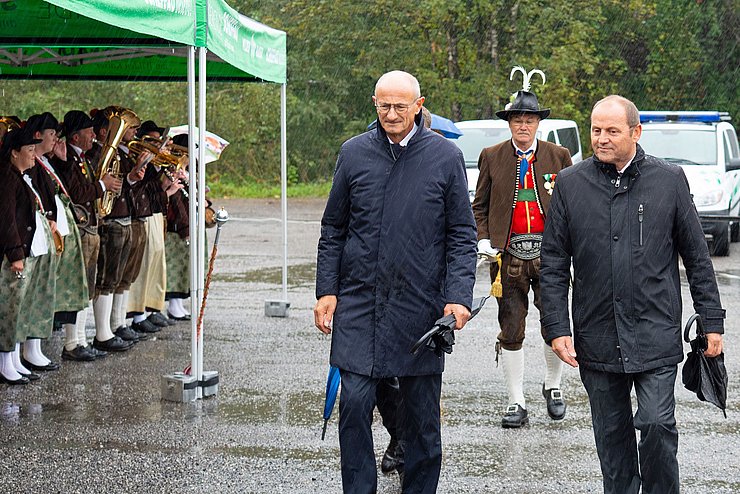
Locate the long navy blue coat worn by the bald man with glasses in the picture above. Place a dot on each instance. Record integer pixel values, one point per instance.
(398, 242)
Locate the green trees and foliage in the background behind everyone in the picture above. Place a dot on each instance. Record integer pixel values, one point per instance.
(663, 54)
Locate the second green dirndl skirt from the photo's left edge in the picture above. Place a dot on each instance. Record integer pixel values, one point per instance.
(37, 317)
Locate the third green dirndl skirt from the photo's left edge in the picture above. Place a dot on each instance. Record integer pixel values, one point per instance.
(71, 278)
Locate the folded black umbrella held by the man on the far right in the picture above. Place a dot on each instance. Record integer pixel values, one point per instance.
(706, 376)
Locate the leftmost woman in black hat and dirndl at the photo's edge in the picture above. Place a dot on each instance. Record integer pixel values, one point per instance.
(25, 238)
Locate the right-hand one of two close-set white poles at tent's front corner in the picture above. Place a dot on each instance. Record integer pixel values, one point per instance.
(202, 252)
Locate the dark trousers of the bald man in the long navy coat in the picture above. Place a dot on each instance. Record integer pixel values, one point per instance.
(418, 429)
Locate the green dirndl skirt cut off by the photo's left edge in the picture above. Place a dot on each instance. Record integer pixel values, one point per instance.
(11, 295)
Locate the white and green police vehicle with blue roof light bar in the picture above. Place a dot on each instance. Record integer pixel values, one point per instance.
(704, 144)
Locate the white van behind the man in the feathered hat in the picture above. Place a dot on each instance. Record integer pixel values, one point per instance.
(479, 134)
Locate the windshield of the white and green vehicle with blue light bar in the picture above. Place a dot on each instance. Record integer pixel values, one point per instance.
(698, 145)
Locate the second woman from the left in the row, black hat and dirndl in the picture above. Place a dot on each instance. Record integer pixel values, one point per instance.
(71, 280)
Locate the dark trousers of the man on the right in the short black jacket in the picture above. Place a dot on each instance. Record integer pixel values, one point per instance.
(655, 467)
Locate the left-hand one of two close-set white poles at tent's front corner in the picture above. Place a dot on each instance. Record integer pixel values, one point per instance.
(193, 217)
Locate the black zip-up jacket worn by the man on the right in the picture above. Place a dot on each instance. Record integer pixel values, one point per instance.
(624, 237)
